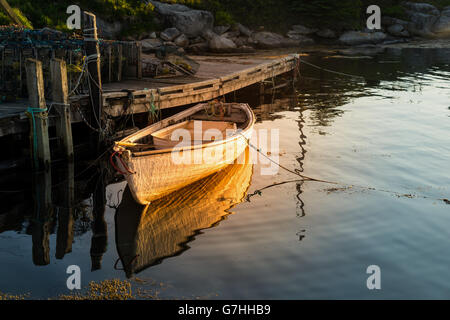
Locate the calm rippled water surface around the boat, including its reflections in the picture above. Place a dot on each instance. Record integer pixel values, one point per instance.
(296, 240)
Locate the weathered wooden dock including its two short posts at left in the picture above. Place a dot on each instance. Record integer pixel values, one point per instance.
(216, 77)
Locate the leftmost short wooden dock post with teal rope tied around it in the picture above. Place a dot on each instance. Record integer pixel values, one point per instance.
(35, 85)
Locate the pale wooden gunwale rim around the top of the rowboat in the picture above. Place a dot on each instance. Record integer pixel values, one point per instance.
(243, 106)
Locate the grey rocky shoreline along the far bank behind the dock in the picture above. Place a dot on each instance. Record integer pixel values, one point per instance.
(193, 31)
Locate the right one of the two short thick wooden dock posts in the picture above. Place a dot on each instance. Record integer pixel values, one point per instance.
(60, 97)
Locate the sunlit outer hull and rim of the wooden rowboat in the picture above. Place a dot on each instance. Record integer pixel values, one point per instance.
(154, 174)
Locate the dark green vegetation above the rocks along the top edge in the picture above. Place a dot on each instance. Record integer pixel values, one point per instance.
(276, 15)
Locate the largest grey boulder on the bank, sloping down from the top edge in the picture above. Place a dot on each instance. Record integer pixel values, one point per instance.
(190, 22)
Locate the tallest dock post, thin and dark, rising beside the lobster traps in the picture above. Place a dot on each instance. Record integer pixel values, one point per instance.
(93, 63)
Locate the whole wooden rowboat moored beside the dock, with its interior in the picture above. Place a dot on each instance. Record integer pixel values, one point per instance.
(183, 148)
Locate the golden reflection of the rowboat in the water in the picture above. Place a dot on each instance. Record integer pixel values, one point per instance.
(147, 235)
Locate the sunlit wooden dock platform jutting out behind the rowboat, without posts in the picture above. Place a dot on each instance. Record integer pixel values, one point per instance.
(215, 78)
